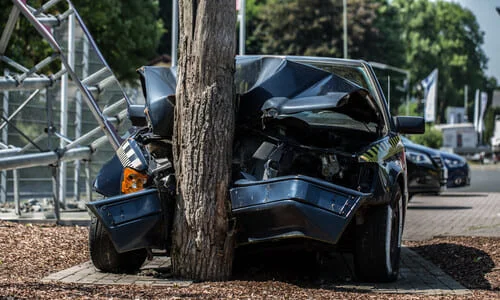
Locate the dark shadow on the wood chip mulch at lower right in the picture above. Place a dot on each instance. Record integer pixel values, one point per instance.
(466, 265)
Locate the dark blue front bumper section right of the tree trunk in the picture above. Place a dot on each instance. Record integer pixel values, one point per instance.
(293, 207)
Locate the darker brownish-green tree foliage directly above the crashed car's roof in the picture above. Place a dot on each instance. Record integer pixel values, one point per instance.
(314, 27)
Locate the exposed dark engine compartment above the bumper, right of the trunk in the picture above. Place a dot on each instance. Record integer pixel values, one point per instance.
(302, 150)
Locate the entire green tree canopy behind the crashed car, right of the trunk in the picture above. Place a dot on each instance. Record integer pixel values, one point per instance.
(418, 35)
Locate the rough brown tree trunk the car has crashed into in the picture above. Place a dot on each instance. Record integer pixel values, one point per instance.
(204, 118)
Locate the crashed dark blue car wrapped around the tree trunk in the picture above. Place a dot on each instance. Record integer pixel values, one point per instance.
(317, 162)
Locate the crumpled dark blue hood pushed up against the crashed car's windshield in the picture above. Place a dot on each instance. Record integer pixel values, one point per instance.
(319, 91)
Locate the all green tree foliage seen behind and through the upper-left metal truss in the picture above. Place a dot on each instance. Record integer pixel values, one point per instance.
(126, 31)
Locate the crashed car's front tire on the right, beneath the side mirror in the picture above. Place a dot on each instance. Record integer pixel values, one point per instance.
(378, 242)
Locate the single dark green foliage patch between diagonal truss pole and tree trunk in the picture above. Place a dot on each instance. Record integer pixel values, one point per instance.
(126, 31)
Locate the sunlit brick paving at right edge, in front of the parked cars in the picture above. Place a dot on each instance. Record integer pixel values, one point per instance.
(453, 214)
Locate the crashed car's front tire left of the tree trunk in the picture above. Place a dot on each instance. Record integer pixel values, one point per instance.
(104, 255)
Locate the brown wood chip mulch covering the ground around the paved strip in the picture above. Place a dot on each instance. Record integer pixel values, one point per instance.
(29, 252)
